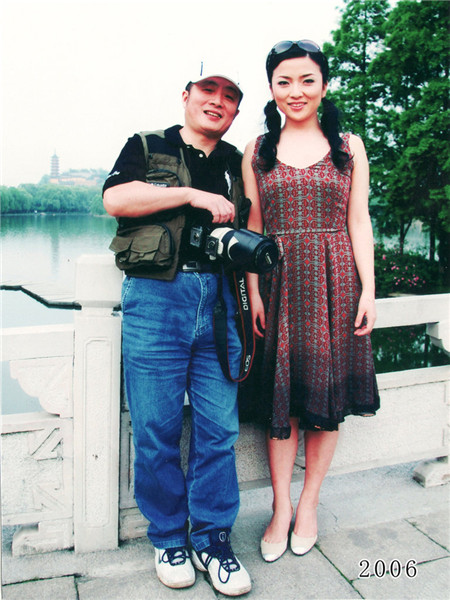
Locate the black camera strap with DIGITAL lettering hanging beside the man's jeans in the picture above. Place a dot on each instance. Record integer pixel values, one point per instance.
(245, 324)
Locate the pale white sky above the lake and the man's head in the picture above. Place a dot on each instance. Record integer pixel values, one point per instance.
(79, 77)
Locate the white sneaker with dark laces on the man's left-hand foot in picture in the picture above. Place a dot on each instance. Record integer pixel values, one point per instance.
(174, 567)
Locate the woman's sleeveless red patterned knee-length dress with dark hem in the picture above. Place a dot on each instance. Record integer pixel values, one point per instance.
(313, 366)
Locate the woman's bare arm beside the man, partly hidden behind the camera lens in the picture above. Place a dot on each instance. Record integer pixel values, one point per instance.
(255, 223)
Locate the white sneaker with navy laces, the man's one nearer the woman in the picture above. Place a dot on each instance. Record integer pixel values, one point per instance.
(227, 574)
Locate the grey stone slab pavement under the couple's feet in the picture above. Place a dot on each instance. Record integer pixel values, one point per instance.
(381, 535)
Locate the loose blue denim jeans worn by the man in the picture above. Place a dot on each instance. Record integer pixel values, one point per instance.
(168, 349)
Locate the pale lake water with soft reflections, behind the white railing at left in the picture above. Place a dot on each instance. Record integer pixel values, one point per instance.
(39, 248)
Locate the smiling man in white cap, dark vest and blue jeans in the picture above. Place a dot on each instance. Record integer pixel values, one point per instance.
(184, 180)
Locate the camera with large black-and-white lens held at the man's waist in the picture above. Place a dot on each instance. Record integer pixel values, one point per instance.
(238, 249)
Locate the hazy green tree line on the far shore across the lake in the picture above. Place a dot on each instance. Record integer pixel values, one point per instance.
(50, 198)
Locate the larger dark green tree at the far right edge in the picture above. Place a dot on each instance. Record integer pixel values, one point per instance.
(412, 91)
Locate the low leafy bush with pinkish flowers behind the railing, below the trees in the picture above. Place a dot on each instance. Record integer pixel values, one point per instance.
(404, 273)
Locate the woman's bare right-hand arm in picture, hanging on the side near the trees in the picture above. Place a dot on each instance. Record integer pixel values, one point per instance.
(361, 236)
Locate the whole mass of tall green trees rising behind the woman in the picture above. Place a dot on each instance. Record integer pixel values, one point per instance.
(390, 70)
